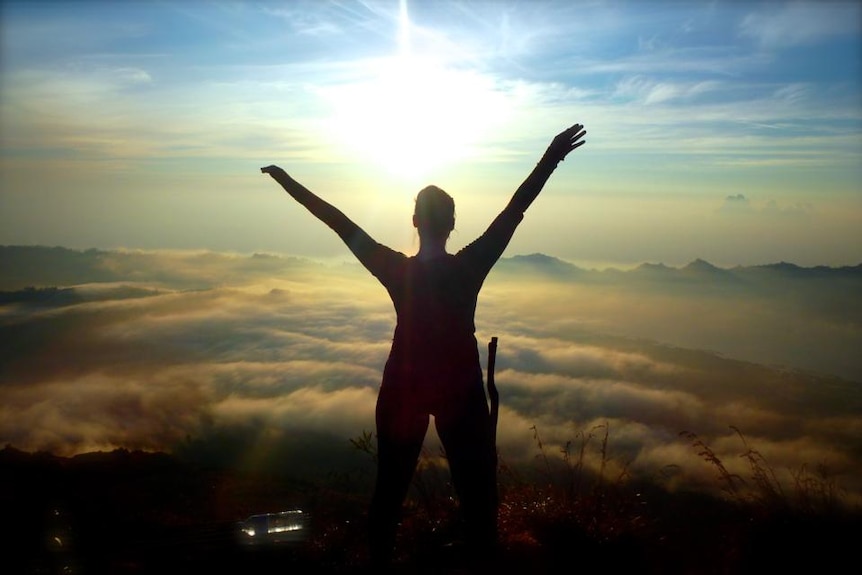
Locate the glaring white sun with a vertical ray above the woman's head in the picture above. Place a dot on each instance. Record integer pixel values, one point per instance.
(411, 114)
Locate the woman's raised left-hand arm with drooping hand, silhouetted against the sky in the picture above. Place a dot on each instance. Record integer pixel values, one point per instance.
(359, 242)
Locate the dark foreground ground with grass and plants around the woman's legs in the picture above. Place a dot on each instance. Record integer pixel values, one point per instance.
(135, 512)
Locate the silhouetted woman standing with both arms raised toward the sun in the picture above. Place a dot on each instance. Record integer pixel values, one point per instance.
(433, 367)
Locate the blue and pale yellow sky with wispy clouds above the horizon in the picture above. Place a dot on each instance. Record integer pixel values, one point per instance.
(728, 131)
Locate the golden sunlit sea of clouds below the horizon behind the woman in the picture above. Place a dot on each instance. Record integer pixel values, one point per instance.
(271, 360)
